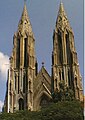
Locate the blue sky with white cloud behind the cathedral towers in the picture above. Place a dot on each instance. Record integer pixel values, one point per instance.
(43, 15)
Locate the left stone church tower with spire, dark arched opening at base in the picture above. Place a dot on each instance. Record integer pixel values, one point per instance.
(22, 70)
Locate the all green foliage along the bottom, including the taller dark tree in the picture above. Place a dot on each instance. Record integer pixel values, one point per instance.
(64, 107)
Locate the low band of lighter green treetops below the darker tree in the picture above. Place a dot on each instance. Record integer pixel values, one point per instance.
(65, 110)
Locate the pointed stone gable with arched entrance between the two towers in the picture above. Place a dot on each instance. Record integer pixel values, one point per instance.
(42, 89)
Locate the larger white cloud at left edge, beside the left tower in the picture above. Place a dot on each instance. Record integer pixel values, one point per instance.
(4, 65)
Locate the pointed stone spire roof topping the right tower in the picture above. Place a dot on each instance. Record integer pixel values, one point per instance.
(62, 20)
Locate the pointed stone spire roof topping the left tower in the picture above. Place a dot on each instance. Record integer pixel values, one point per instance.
(24, 25)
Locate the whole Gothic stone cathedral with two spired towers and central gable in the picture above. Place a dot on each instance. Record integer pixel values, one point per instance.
(28, 88)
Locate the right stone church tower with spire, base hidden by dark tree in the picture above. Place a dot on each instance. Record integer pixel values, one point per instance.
(65, 66)
